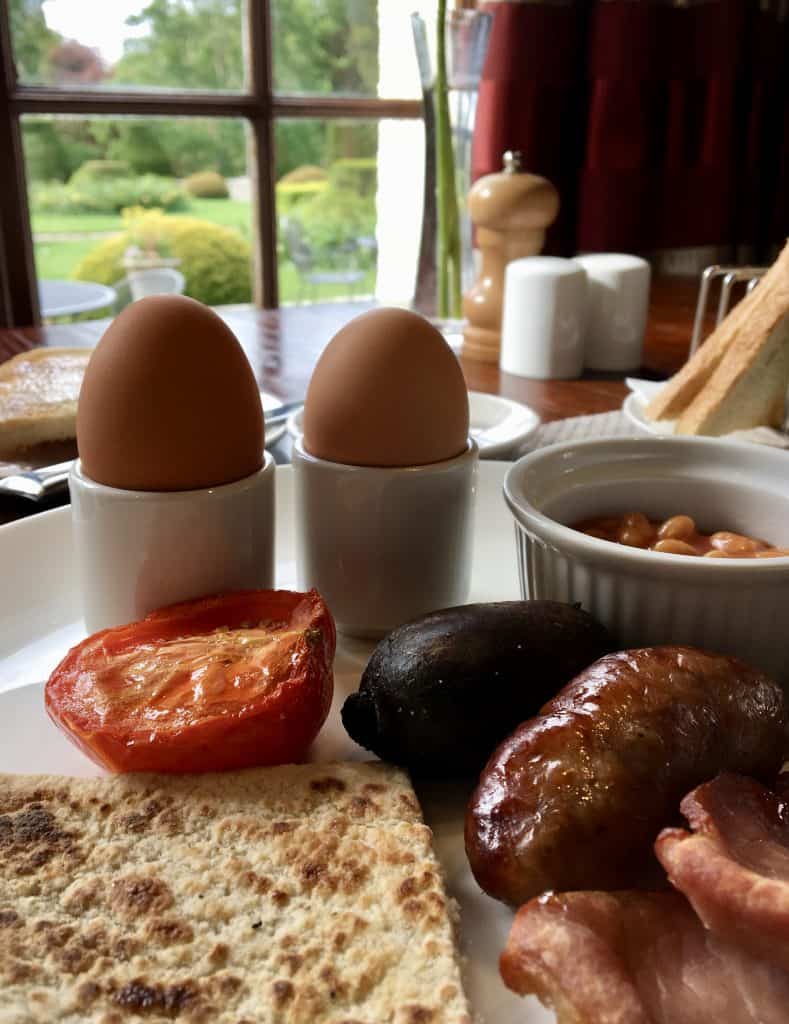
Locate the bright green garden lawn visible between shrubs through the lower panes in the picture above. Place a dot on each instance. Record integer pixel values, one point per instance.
(58, 260)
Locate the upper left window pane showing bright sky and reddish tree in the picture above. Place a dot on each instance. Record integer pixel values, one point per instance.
(123, 44)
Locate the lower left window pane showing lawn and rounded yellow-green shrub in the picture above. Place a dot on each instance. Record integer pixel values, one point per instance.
(112, 199)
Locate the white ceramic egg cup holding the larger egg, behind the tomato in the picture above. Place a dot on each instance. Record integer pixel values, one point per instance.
(142, 550)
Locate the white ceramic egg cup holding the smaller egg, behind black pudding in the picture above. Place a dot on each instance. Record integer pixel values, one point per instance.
(384, 546)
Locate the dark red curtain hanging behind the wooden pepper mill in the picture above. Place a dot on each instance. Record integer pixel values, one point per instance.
(664, 125)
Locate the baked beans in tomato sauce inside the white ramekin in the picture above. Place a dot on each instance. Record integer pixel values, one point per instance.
(677, 536)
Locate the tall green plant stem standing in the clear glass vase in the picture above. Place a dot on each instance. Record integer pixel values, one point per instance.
(449, 247)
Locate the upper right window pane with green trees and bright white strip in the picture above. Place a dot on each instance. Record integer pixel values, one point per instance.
(346, 48)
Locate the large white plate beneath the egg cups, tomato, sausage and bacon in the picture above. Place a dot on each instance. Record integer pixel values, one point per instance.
(37, 614)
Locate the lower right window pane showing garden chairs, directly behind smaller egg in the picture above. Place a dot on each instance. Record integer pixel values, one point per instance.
(349, 208)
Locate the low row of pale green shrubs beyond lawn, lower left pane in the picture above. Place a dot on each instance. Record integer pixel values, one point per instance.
(110, 196)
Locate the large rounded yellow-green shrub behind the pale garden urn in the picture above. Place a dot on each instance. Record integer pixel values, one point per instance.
(215, 261)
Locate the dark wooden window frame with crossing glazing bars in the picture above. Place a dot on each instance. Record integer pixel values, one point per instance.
(260, 107)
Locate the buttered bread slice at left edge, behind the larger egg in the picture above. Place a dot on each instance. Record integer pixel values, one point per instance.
(38, 397)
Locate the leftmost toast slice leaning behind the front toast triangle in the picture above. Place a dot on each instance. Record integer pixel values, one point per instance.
(752, 321)
